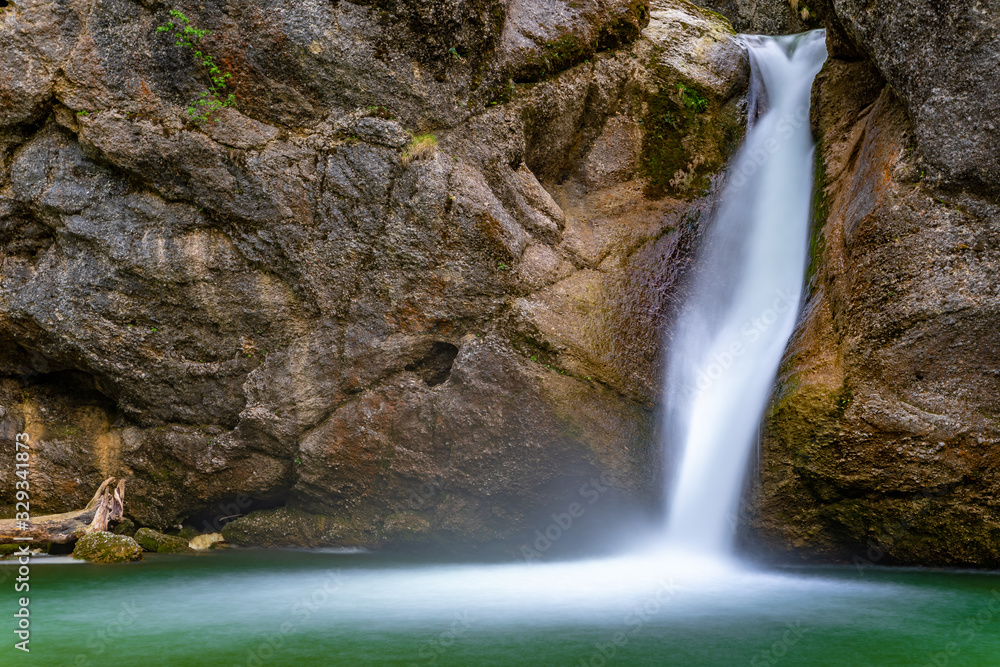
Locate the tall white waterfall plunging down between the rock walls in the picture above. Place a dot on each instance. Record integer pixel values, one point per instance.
(730, 335)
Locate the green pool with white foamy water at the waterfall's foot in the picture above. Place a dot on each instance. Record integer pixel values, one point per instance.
(320, 608)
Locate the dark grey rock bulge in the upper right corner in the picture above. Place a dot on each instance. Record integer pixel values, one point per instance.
(941, 59)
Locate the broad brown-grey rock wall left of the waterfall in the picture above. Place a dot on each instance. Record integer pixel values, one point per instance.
(292, 305)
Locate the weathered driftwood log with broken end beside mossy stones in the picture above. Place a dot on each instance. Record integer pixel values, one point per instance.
(104, 508)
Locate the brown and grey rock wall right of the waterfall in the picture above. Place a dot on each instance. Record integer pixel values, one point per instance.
(883, 440)
